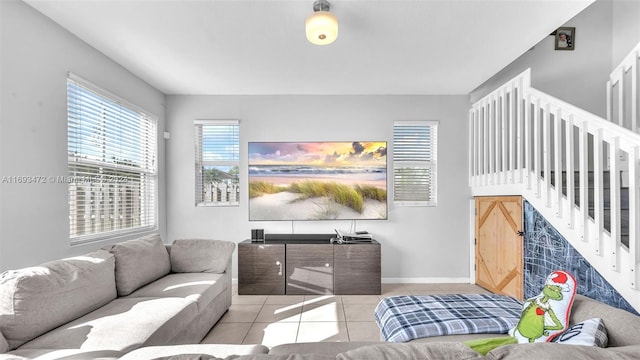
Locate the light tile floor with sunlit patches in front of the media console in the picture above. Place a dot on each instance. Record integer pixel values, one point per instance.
(275, 320)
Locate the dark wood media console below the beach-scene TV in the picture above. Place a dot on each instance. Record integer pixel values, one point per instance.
(303, 264)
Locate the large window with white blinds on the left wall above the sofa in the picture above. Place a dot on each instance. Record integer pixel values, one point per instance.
(111, 162)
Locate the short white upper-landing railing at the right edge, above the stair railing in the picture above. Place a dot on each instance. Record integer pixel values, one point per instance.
(623, 97)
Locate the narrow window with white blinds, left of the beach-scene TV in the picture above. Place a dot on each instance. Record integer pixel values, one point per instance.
(217, 162)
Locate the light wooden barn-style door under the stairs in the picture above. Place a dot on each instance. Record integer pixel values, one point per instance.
(499, 245)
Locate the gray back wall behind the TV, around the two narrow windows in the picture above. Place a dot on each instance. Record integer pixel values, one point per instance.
(417, 242)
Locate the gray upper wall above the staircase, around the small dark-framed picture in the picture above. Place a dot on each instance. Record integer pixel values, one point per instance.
(579, 76)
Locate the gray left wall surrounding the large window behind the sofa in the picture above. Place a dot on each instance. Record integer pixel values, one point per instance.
(36, 56)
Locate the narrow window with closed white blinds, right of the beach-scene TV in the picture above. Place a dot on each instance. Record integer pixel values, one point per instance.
(414, 163)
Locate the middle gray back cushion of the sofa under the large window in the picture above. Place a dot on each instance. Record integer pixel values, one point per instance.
(139, 262)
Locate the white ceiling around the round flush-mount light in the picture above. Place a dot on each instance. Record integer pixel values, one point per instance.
(259, 46)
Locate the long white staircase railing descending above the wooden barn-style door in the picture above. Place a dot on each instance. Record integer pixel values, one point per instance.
(562, 159)
